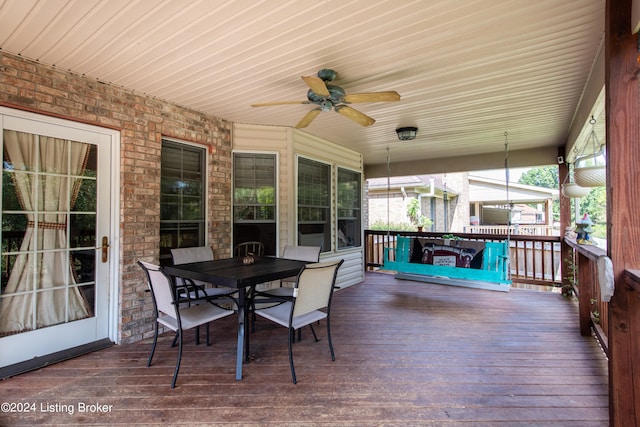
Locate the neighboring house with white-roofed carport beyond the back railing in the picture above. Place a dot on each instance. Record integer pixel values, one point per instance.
(459, 200)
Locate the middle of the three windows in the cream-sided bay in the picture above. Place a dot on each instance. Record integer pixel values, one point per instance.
(314, 204)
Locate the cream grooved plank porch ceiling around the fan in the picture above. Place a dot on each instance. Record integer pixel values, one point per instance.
(467, 71)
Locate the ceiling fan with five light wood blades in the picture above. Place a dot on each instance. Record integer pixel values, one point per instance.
(328, 97)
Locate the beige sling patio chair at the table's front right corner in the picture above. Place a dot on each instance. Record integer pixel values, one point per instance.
(310, 303)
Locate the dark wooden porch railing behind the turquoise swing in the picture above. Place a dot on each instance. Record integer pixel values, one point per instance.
(534, 260)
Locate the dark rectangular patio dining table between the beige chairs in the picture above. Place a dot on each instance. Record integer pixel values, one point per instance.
(233, 273)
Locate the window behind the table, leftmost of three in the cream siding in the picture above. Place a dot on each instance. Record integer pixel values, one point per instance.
(254, 199)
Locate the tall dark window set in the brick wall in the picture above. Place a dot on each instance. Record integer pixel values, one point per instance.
(182, 197)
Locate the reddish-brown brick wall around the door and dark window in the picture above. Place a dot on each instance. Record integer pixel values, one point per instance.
(142, 121)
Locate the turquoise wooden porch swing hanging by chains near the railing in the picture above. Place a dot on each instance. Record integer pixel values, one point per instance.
(442, 263)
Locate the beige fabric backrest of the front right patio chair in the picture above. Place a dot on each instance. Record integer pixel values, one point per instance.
(315, 287)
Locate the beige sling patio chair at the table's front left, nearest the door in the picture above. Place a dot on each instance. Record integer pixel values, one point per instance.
(174, 315)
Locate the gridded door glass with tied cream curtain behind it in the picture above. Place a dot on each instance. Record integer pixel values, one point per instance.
(45, 180)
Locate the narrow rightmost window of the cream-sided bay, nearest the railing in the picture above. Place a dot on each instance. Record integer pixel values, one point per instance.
(349, 208)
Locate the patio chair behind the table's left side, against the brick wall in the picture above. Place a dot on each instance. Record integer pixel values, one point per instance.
(195, 289)
